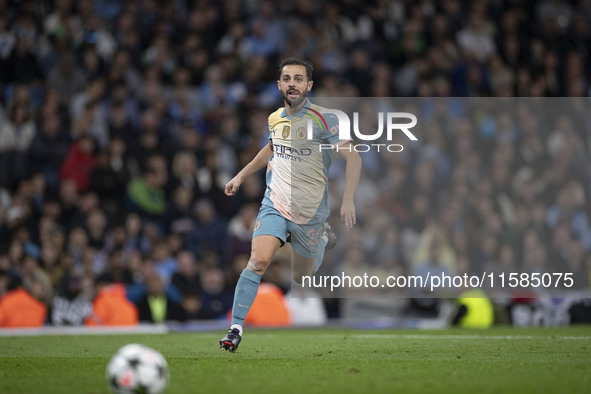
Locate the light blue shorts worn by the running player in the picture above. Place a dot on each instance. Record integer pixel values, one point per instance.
(304, 237)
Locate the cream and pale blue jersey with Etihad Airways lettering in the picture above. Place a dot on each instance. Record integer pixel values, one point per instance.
(297, 173)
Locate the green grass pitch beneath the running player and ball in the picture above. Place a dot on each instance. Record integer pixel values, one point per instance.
(317, 361)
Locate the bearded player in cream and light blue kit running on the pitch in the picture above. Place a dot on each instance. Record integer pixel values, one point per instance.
(295, 207)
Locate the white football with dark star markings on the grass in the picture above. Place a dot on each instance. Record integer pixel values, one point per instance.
(137, 369)
